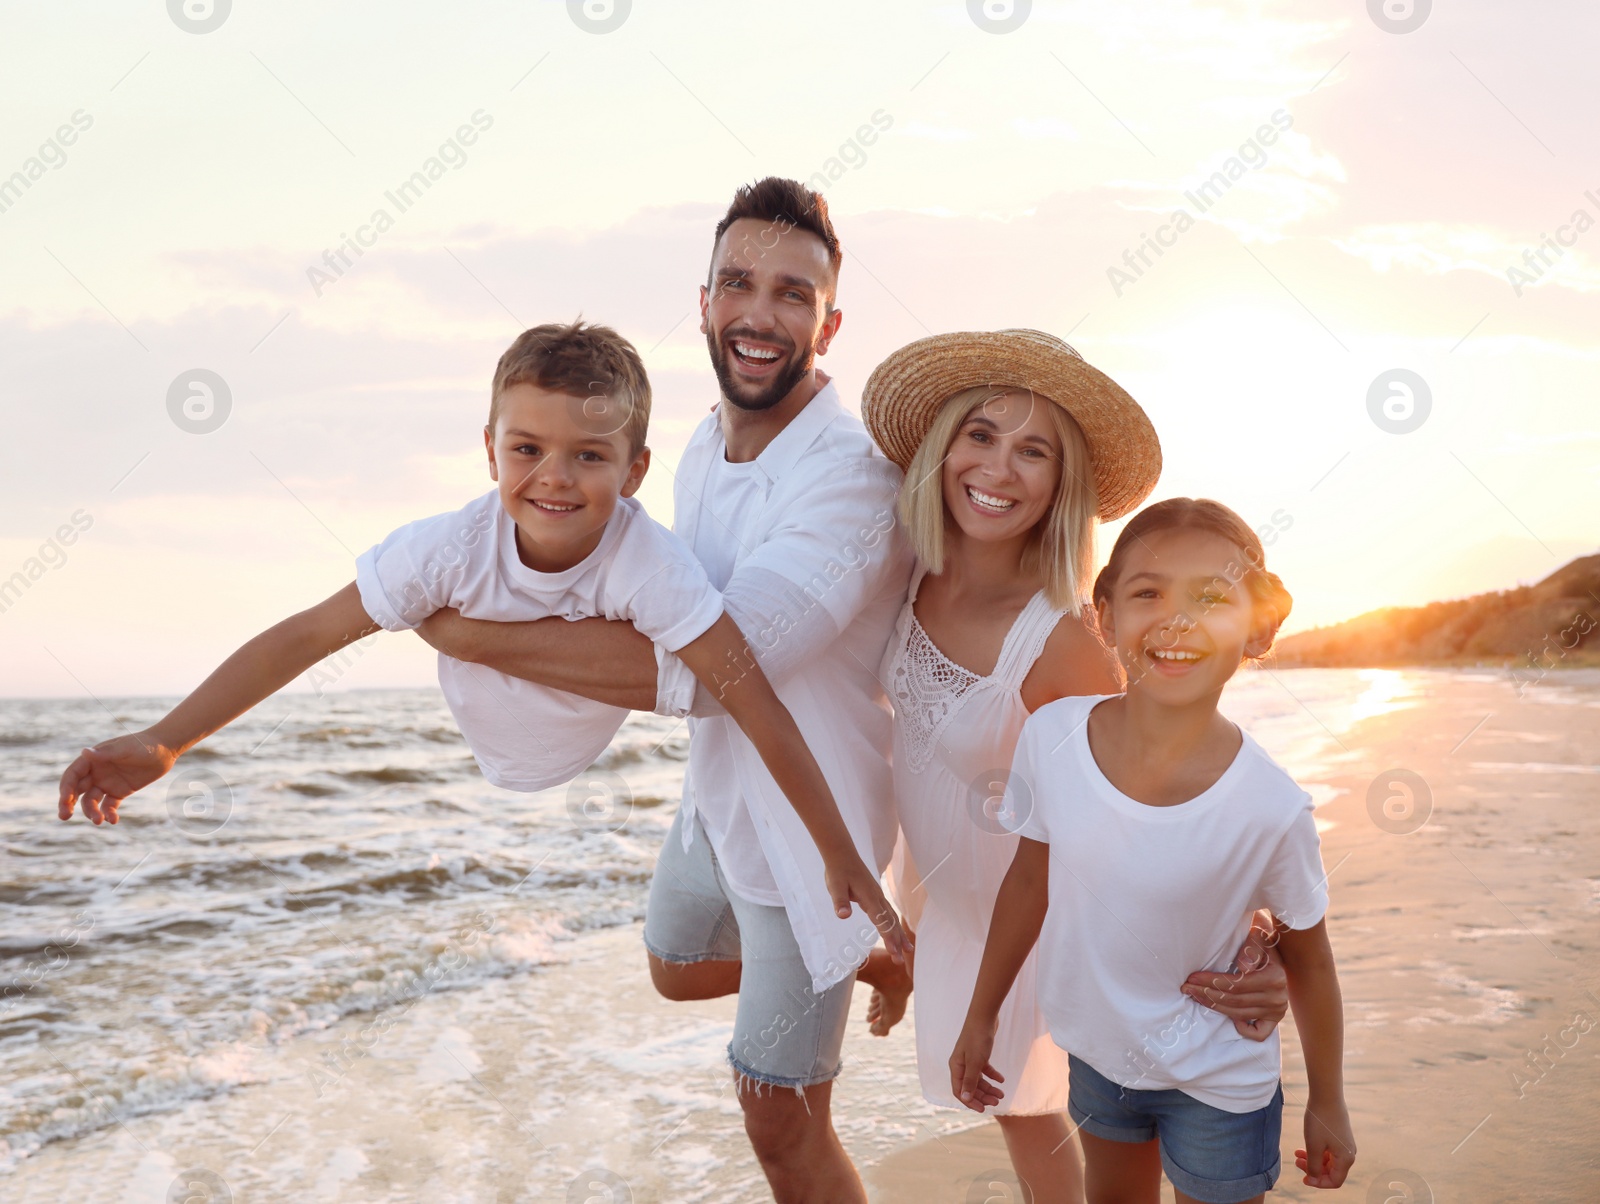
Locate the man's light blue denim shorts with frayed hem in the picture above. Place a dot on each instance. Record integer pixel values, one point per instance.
(785, 1033)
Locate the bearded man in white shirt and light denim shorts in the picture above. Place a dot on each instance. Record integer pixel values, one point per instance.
(791, 510)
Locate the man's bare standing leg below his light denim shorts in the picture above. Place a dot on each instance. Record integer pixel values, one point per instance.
(796, 1144)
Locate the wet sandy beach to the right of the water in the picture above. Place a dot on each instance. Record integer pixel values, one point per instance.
(1470, 957)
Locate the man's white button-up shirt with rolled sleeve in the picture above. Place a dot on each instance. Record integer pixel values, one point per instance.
(812, 566)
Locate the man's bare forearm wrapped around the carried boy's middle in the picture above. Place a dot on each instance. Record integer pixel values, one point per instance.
(607, 660)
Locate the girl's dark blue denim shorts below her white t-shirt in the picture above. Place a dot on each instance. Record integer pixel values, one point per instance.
(1209, 1155)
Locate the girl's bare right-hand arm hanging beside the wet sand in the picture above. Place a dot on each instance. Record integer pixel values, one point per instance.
(1319, 1014)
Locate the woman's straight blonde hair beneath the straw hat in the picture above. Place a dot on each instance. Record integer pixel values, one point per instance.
(1062, 545)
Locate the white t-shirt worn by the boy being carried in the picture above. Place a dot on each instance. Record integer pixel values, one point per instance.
(527, 737)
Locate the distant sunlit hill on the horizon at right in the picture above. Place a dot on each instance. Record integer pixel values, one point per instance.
(1551, 624)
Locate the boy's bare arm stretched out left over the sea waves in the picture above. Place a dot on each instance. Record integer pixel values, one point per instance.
(105, 776)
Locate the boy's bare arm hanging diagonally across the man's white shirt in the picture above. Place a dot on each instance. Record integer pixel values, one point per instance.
(727, 667)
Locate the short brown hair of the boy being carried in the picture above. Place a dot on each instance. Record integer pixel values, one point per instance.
(585, 361)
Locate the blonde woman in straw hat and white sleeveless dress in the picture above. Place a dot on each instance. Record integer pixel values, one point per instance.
(1012, 447)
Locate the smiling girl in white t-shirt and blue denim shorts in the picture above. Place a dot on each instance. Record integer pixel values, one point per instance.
(1158, 827)
